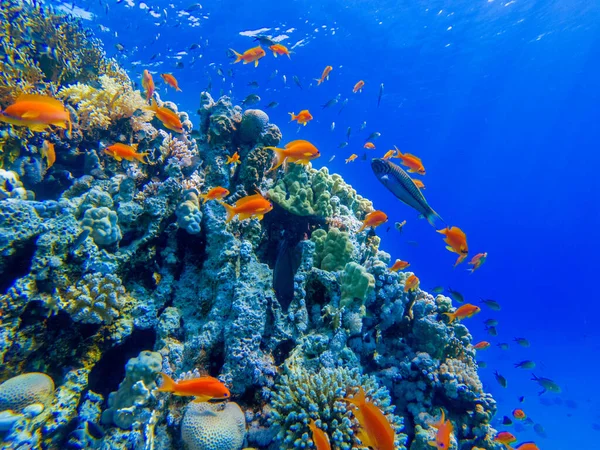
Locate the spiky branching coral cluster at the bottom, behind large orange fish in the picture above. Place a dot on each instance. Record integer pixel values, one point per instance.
(302, 394)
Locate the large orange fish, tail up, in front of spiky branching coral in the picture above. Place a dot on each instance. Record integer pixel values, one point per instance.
(375, 430)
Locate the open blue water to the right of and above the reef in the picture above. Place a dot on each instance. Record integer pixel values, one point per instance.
(499, 99)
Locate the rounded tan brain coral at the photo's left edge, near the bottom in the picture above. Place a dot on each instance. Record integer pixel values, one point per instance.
(27, 389)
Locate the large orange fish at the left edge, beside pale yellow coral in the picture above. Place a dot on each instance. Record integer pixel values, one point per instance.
(37, 112)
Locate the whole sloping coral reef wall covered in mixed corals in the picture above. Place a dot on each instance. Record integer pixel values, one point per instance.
(113, 271)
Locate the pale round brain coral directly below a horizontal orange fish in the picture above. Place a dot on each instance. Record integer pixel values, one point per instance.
(207, 426)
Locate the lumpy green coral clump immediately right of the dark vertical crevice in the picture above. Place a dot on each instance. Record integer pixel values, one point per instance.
(333, 249)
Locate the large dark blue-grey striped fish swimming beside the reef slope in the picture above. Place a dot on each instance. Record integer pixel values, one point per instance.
(400, 184)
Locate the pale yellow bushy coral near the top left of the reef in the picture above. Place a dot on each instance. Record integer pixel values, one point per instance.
(98, 108)
